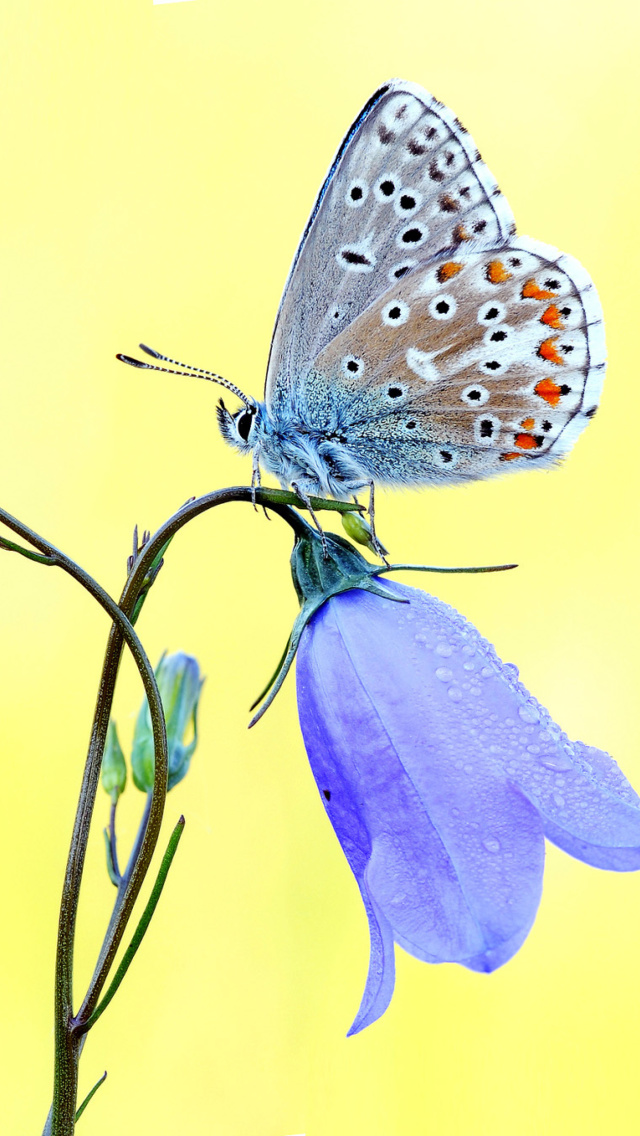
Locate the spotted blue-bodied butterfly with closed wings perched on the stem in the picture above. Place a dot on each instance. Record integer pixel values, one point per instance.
(420, 341)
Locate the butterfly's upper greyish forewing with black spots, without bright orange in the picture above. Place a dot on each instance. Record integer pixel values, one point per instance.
(406, 183)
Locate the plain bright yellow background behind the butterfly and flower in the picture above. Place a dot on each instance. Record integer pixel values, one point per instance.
(160, 164)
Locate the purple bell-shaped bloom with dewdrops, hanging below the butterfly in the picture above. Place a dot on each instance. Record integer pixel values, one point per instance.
(442, 776)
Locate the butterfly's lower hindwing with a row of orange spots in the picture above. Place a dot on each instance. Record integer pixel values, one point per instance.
(472, 362)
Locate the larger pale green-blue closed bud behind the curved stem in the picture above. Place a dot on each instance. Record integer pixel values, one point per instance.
(180, 684)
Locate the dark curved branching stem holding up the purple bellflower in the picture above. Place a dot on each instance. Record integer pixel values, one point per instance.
(70, 1031)
